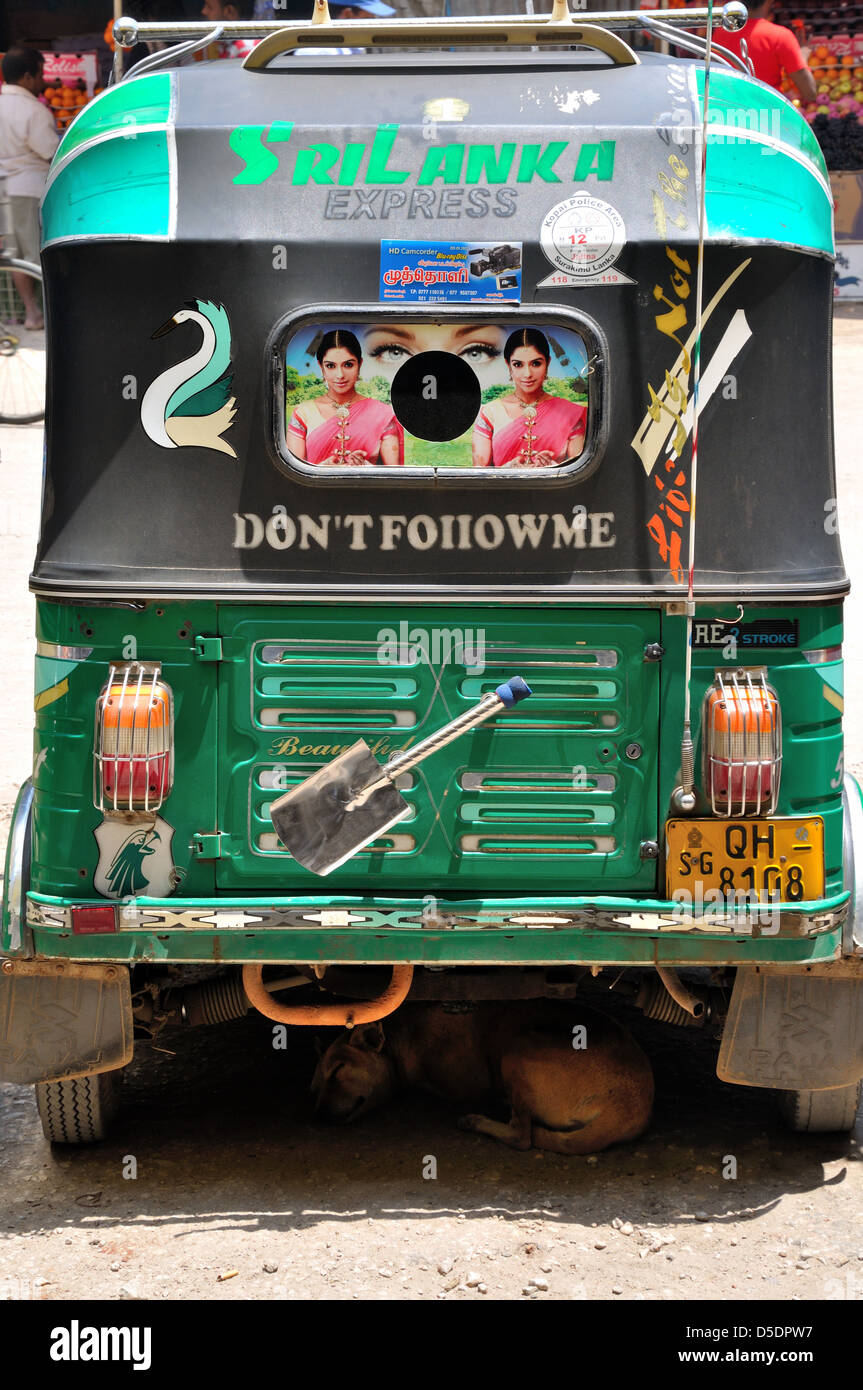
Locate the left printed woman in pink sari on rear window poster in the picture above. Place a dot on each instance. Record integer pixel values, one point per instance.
(344, 429)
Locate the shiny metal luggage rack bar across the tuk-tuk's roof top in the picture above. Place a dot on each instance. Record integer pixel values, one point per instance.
(593, 30)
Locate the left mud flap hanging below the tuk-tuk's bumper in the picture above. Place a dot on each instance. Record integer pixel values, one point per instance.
(63, 1021)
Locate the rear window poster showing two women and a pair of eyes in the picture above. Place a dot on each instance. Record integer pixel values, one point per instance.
(437, 395)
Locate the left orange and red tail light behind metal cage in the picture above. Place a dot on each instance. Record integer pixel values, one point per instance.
(134, 746)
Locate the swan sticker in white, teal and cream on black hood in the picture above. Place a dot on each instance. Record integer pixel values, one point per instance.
(191, 405)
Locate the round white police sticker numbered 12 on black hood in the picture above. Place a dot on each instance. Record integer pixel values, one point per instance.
(583, 238)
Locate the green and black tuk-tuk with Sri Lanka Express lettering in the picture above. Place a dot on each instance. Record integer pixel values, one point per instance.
(425, 423)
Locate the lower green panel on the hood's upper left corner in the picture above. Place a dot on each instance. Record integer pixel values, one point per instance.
(117, 188)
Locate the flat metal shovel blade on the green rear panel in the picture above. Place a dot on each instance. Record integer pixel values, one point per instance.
(320, 822)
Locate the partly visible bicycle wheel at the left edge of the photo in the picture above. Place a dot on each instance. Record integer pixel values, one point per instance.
(22, 348)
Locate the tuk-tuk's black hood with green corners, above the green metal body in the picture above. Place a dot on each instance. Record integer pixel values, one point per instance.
(251, 206)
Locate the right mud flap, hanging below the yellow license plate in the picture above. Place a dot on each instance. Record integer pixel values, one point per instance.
(794, 1032)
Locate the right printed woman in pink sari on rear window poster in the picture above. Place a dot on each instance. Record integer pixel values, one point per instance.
(529, 429)
